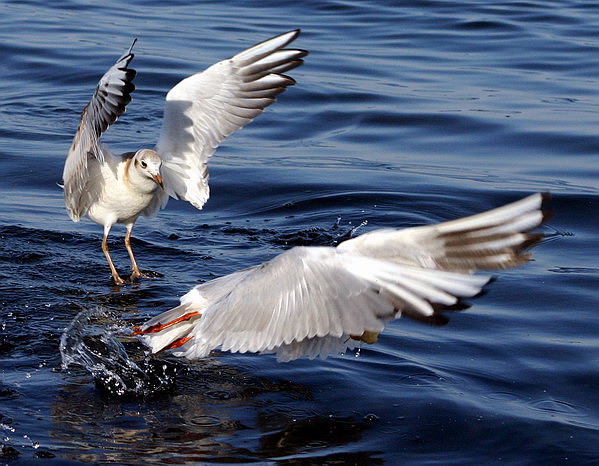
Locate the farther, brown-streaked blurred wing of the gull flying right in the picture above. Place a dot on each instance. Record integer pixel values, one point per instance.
(492, 240)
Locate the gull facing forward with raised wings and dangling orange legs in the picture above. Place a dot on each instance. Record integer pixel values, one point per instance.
(200, 111)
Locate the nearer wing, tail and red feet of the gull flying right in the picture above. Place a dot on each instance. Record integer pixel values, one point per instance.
(306, 301)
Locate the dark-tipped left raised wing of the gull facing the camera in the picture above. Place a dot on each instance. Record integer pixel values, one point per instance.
(110, 98)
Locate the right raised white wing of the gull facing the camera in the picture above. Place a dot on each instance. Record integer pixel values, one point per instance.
(206, 107)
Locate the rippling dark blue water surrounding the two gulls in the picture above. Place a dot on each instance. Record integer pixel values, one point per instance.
(405, 113)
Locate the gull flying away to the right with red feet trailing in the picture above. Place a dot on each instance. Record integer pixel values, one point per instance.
(314, 301)
